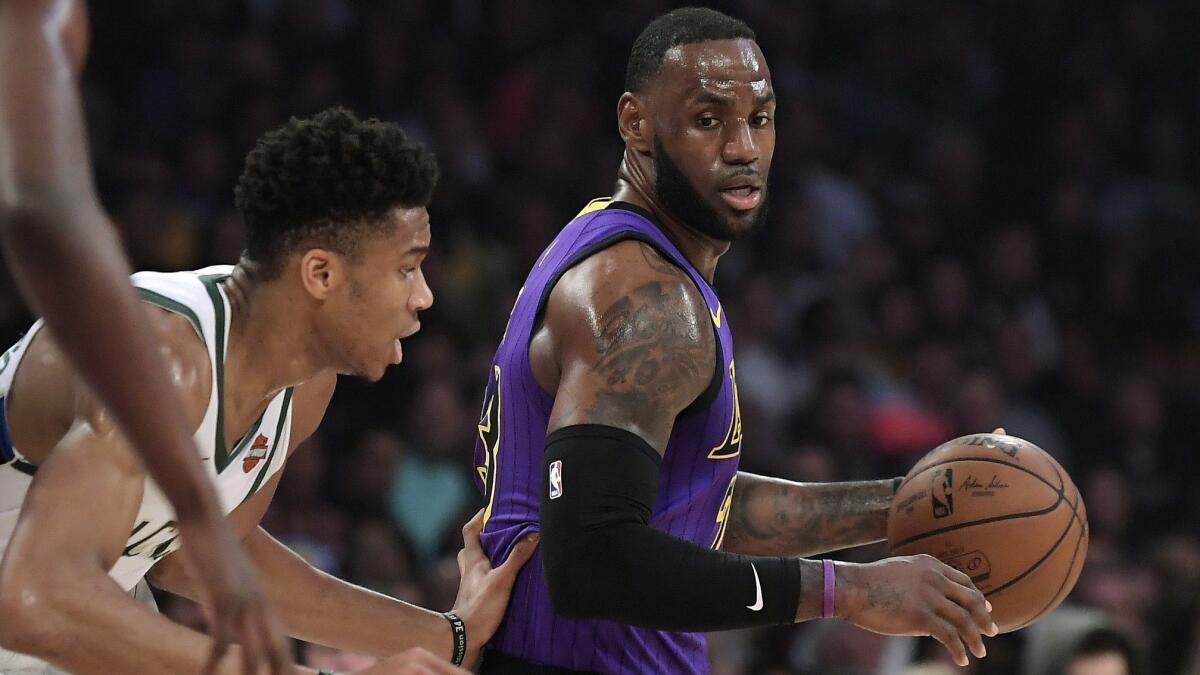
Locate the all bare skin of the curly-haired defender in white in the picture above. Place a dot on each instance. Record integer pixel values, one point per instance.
(325, 315)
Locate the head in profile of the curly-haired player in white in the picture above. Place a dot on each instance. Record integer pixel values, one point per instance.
(337, 207)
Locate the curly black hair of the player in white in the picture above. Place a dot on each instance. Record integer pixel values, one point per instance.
(325, 182)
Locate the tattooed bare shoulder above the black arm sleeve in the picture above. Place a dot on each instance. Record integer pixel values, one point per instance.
(634, 342)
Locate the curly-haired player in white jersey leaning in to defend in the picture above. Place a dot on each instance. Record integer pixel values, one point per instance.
(331, 282)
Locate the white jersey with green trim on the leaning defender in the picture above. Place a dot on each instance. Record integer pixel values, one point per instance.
(237, 473)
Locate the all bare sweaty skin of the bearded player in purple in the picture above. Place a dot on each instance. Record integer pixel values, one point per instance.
(620, 344)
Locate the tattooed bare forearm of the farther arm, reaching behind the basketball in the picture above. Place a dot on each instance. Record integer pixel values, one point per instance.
(776, 517)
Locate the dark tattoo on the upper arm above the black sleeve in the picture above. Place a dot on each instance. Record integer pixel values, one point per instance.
(651, 354)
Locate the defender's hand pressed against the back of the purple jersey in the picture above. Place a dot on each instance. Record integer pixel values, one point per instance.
(484, 593)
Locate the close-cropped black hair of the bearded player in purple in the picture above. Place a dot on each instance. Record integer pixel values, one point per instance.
(687, 26)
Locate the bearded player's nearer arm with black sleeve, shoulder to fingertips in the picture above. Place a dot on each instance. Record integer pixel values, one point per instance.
(634, 350)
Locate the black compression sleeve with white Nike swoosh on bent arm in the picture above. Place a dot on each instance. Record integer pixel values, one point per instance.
(603, 560)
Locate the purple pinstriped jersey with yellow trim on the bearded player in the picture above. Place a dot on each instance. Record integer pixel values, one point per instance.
(695, 481)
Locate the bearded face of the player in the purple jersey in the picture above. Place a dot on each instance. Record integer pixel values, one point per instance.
(713, 110)
